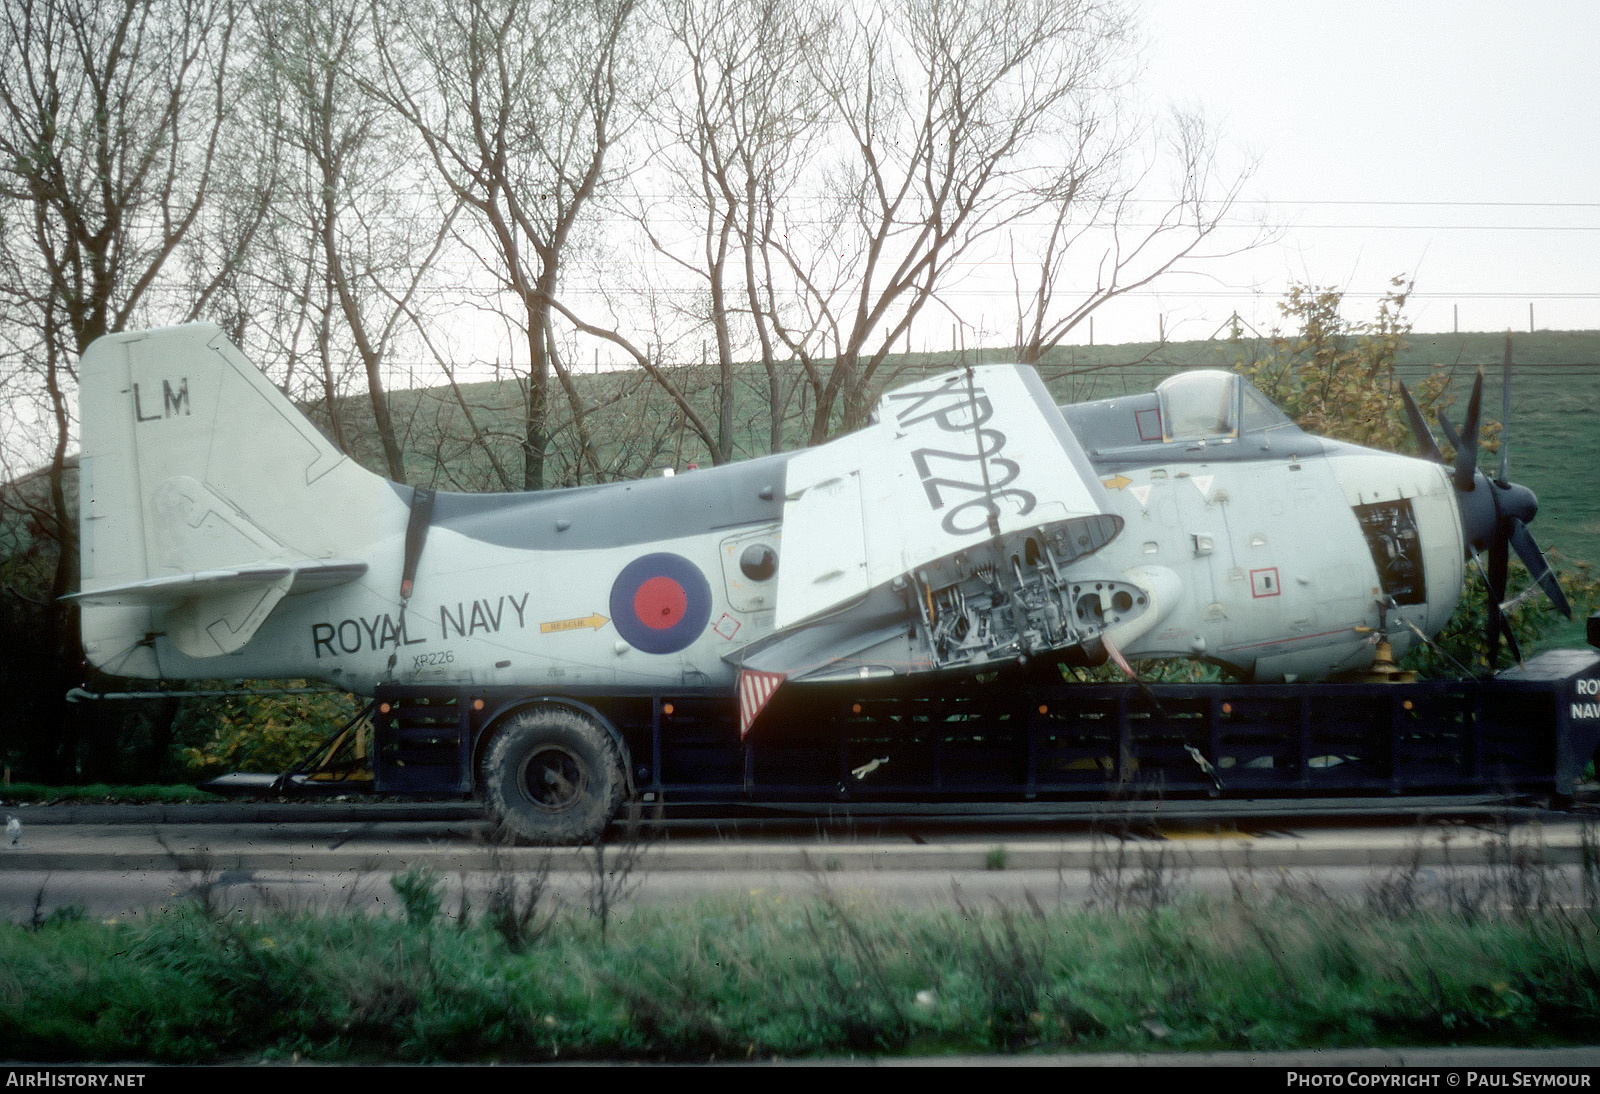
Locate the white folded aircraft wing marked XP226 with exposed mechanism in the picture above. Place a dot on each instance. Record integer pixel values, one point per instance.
(954, 533)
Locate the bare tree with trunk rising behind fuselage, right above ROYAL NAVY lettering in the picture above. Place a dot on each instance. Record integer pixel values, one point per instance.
(519, 105)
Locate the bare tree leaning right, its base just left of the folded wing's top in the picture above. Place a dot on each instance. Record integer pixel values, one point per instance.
(946, 116)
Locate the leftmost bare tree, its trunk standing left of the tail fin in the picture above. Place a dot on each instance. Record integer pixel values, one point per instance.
(111, 119)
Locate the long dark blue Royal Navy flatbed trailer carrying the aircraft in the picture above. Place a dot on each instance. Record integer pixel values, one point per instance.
(554, 765)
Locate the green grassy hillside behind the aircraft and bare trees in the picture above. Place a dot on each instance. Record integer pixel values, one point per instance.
(1554, 431)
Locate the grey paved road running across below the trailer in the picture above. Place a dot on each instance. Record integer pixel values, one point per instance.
(130, 860)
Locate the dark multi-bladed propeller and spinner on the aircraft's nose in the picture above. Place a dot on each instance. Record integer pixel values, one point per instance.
(1495, 513)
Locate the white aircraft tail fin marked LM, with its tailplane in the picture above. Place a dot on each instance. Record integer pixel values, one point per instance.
(204, 500)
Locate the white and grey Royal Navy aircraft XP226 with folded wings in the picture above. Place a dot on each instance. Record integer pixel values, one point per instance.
(972, 525)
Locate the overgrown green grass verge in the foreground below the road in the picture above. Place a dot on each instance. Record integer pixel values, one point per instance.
(1502, 957)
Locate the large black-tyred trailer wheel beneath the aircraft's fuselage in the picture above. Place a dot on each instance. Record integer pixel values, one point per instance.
(553, 777)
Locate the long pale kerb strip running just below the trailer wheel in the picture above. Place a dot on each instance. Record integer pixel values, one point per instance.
(455, 848)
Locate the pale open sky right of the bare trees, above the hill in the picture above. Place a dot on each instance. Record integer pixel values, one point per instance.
(1457, 143)
